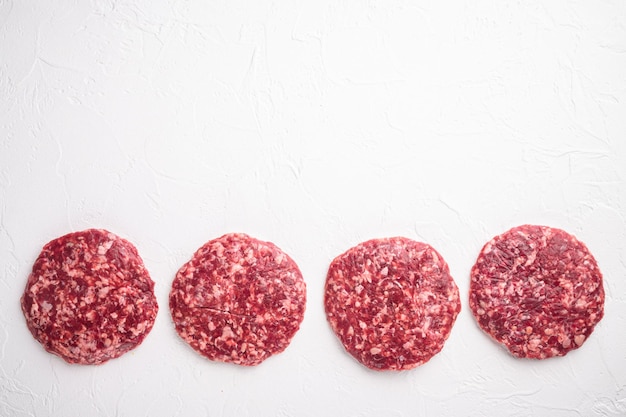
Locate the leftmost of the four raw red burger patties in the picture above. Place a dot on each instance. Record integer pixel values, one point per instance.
(89, 297)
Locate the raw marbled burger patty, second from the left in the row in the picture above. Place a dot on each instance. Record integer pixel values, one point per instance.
(238, 300)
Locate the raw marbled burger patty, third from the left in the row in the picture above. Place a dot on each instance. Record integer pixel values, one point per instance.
(391, 302)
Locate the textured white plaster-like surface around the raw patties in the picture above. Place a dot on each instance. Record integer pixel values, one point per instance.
(315, 125)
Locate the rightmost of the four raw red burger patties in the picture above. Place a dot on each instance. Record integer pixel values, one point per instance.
(537, 291)
